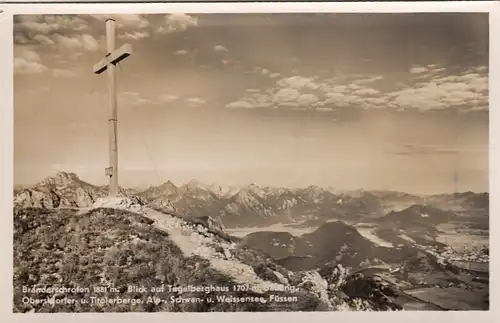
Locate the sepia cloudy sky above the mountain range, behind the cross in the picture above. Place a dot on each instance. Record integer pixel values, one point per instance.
(380, 101)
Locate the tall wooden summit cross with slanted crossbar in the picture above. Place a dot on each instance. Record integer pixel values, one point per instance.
(108, 63)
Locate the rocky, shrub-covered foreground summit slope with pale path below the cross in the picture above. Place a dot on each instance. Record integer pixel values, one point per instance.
(120, 243)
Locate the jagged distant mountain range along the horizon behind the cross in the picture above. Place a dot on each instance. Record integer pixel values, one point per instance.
(250, 205)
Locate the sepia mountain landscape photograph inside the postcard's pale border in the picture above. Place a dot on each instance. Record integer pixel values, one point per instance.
(251, 162)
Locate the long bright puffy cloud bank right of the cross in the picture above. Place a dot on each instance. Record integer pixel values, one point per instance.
(468, 90)
